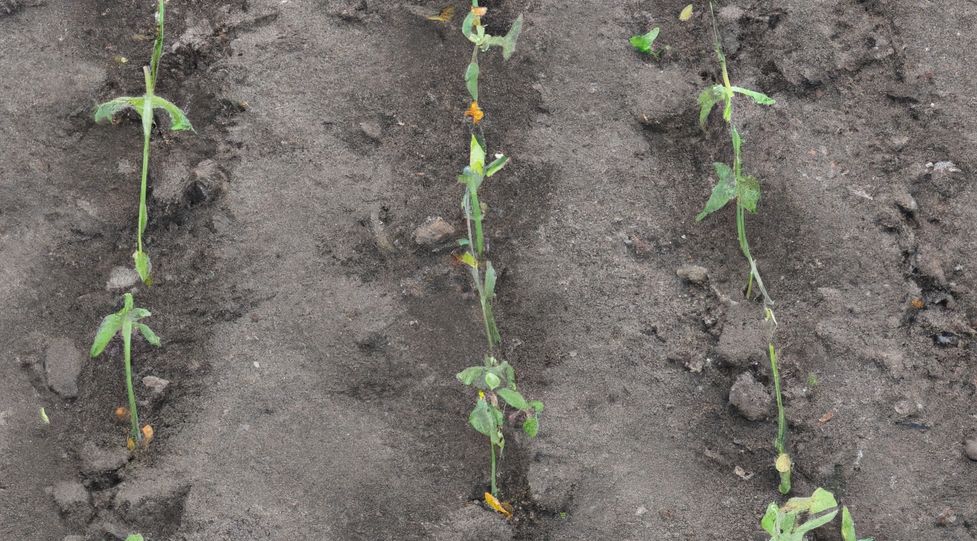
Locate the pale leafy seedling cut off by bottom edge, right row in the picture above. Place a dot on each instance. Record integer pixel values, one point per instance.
(785, 523)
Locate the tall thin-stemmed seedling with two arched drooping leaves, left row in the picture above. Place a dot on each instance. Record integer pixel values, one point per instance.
(145, 106)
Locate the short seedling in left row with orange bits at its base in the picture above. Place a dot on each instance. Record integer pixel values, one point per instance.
(123, 322)
